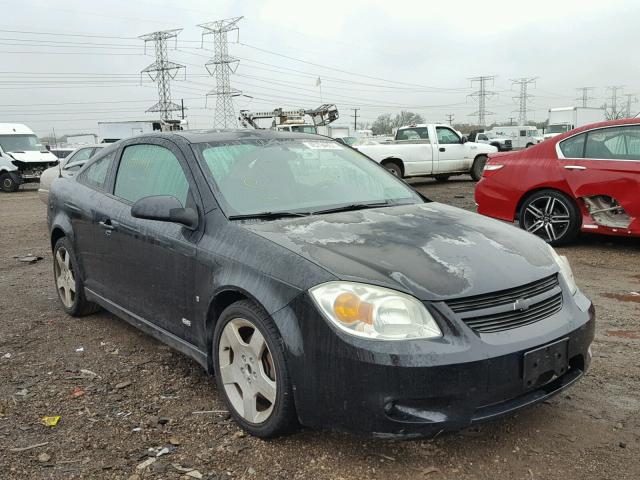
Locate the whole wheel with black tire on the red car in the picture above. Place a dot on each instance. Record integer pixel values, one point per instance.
(540, 209)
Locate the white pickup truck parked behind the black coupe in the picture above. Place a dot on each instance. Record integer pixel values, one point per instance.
(430, 150)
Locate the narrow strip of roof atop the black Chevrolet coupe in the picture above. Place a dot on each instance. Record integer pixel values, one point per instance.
(223, 135)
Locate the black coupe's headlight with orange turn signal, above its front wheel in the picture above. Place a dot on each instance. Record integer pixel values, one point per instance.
(374, 312)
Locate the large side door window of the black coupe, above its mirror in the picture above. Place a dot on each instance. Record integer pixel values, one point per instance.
(147, 170)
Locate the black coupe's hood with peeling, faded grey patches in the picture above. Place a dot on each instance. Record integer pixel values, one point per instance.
(432, 251)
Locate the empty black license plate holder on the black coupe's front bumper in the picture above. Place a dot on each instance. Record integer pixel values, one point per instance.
(544, 364)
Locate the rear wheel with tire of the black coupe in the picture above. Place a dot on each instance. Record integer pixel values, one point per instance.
(69, 285)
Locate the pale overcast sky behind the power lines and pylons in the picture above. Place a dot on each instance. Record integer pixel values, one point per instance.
(69, 64)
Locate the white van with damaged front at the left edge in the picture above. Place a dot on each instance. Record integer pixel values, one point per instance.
(22, 157)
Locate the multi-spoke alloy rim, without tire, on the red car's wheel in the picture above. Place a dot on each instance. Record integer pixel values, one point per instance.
(548, 217)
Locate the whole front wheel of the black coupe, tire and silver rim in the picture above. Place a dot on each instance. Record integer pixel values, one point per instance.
(245, 364)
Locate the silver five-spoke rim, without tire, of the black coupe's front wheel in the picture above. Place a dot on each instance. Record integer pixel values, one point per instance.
(247, 370)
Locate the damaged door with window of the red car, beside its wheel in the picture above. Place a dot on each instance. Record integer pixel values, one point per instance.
(602, 167)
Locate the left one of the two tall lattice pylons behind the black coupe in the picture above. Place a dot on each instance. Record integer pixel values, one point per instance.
(162, 71)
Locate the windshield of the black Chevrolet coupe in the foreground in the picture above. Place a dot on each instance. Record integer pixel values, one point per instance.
(291, 175)
